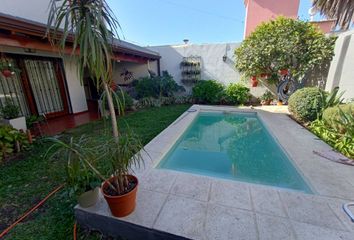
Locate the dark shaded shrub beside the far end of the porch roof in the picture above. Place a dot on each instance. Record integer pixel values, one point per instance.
(157, 86)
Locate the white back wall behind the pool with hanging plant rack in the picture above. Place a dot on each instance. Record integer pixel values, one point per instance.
(212, 64)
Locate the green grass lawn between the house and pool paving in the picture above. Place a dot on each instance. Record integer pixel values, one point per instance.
(25, 181)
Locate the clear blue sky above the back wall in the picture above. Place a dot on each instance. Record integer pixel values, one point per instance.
(165, 22)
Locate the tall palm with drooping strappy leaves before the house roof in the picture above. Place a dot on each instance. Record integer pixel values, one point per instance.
(90, 26)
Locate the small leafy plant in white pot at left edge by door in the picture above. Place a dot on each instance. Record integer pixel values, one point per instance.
(11, 114)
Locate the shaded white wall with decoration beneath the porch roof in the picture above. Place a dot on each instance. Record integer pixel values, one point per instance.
(138, 70)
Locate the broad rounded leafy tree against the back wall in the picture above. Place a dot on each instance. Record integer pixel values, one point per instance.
(283, 43)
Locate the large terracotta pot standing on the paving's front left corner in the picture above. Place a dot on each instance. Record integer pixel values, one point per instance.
(122, 205)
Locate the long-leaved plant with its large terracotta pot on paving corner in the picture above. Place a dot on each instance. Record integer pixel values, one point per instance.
(121, 188)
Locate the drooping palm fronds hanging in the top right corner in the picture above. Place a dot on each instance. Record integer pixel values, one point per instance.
(341, 10)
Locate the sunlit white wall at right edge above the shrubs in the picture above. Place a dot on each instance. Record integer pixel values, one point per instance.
(341, 72)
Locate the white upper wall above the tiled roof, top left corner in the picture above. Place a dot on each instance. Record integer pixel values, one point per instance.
(35, 10)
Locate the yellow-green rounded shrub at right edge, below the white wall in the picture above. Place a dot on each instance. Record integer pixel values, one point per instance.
(332, 116)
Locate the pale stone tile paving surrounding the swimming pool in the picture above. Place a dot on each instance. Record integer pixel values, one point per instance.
(170, 201)
